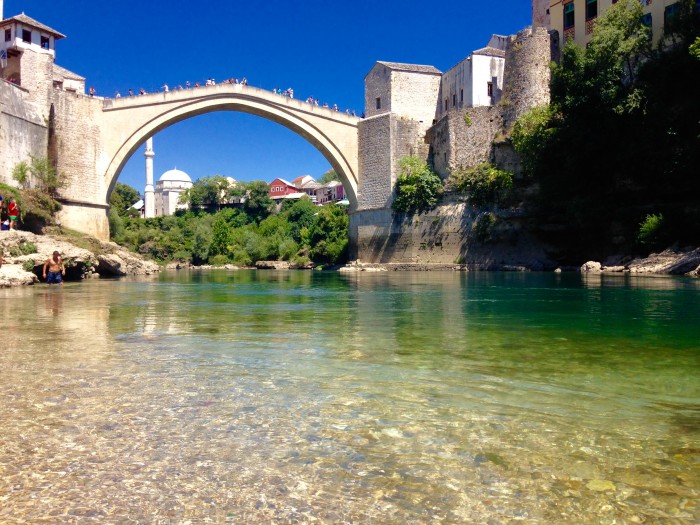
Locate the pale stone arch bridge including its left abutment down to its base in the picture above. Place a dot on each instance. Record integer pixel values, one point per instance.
(118, 127)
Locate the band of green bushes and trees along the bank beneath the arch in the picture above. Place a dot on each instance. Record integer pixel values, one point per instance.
(253, 231)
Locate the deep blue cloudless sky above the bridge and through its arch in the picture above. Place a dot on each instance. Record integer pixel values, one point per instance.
(319, 48)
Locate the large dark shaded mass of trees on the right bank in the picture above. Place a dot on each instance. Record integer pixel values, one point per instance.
(621, 137)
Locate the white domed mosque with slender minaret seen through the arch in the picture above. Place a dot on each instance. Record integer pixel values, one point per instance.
(163, 200)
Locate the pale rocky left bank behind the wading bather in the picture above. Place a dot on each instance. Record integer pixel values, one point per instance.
(24, 254)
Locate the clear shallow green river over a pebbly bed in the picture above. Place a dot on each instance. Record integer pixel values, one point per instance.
(323, 397)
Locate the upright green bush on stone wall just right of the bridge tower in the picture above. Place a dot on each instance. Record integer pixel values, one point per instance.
(417, 187)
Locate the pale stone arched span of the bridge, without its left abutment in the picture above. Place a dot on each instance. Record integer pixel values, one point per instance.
(129, 121)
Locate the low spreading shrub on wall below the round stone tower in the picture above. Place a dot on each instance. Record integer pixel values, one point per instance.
(484, 184)
